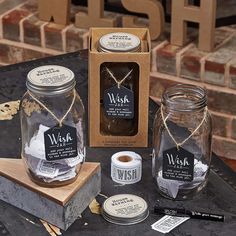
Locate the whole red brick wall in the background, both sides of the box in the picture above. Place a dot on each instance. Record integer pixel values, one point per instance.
(24, 37)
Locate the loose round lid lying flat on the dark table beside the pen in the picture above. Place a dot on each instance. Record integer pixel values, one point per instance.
(125, 209)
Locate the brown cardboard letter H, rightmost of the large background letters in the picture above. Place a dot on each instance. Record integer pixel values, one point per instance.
(204, 15)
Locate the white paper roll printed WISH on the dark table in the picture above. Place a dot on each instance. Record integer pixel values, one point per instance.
(126, 167)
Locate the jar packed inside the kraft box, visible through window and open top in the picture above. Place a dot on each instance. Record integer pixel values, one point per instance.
(119, 86)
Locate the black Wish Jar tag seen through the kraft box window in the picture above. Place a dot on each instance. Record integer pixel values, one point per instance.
(119, 102)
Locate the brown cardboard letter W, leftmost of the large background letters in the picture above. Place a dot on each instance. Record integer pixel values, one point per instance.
(54, 9)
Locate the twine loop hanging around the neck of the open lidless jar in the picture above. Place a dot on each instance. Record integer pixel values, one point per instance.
(178, 145)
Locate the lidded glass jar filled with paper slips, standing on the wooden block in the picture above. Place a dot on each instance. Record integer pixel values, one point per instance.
(52, 126)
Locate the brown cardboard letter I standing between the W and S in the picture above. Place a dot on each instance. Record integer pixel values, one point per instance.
(95, 16)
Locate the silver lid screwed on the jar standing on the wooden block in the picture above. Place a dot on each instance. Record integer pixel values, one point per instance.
(50, 80)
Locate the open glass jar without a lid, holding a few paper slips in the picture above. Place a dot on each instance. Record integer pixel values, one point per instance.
(182, 142)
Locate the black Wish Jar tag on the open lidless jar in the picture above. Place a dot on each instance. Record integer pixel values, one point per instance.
(178, 164)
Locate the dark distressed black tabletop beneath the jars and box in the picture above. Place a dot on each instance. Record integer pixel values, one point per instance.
(219, 195)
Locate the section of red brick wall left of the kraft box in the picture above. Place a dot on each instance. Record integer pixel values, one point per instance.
(24, 37)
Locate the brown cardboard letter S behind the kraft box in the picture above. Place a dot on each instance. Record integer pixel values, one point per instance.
(152, 8)
